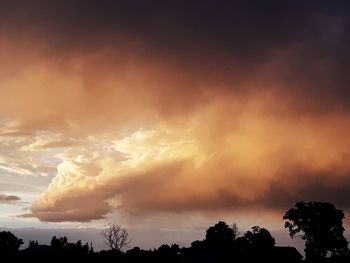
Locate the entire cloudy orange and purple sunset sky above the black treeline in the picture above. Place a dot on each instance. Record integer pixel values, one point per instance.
(167, 116)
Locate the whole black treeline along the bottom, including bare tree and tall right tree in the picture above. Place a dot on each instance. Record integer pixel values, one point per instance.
(319, 224)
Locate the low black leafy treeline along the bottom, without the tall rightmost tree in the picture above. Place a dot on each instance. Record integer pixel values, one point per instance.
(221, 244)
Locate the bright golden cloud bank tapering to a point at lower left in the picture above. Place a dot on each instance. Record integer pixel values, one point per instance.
(170, 170)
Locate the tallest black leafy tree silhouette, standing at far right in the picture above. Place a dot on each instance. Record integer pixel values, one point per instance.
(322, 229)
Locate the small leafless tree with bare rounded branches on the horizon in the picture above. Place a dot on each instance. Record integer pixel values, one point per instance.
(116, 237)
